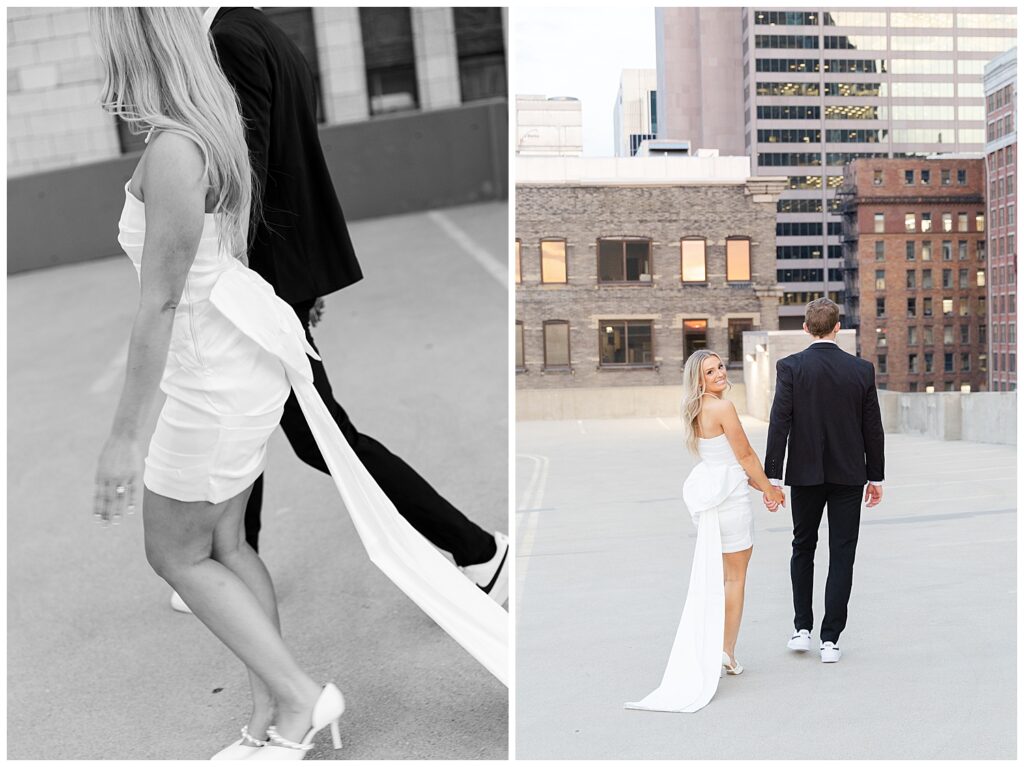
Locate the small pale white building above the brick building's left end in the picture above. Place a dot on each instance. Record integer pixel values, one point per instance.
(549, 126)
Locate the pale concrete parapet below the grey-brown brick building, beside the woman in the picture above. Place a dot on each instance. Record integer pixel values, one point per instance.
(613, 402)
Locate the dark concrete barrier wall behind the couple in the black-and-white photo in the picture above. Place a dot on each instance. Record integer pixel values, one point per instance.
(381, 167)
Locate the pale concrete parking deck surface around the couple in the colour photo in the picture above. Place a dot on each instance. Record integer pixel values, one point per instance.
(929, 669)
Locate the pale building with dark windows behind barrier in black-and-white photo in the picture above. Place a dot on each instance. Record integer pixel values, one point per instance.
(367, 62)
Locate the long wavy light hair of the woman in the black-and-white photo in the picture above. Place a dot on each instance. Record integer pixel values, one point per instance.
(161, 73)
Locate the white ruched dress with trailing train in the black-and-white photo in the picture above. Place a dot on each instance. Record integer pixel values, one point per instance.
(236, 349)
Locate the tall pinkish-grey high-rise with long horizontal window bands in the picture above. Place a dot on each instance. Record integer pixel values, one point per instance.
(819, 90)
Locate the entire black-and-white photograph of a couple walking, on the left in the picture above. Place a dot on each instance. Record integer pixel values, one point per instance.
(259, 383)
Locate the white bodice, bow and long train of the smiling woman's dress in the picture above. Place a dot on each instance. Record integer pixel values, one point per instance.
(692, 675)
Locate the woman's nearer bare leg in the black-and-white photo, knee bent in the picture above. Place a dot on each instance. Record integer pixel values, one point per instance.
(180, 542)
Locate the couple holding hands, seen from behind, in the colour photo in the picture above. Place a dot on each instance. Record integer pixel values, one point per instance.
(827, 411)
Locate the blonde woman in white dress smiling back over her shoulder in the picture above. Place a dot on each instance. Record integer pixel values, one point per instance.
(716, 494)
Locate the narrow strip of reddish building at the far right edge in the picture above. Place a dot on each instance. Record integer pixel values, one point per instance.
(1001, 159)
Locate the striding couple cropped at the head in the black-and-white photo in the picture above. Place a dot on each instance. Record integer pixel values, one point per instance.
(233, 175)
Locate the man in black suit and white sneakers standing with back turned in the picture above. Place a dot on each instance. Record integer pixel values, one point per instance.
(827, 407)
